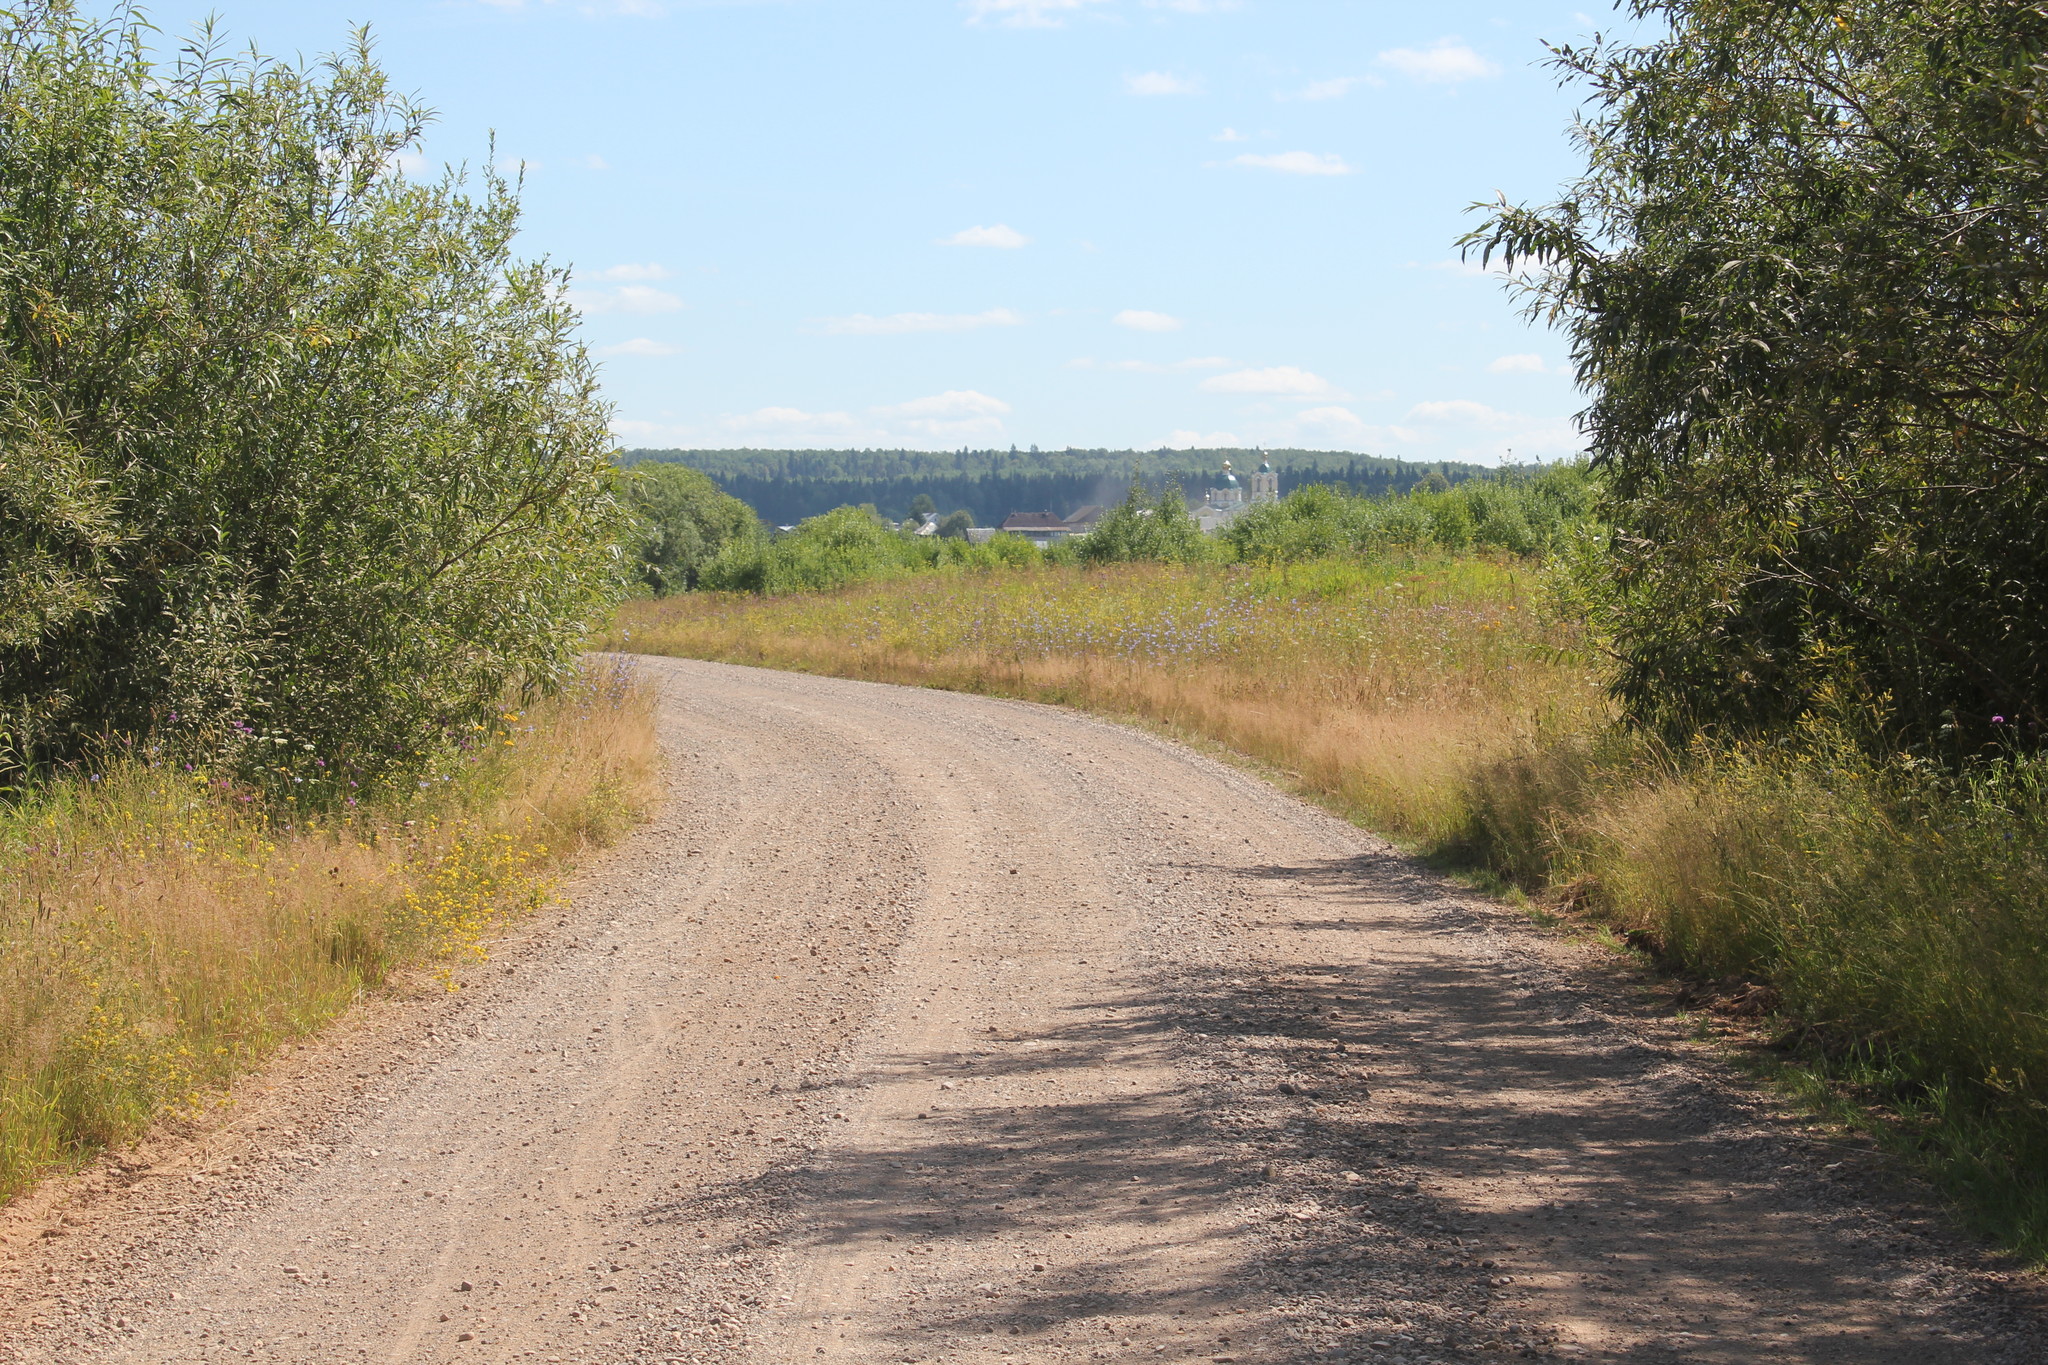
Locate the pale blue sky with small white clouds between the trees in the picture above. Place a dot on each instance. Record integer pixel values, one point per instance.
(1015, 222)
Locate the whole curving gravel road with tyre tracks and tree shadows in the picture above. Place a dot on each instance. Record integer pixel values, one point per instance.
(939, 1028)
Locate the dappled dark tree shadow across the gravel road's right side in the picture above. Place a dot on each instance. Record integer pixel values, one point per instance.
(1441, 1151)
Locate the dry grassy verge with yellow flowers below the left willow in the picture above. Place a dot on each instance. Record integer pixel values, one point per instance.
(163, 932)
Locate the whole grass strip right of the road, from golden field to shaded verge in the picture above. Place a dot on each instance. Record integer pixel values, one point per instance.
(1885, 922)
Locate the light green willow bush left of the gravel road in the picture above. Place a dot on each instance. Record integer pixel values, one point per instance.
(292, 447)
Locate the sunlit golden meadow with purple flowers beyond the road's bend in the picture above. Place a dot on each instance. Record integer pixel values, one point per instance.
(1381, 687)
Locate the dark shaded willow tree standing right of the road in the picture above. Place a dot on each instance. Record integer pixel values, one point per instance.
(1805, 281)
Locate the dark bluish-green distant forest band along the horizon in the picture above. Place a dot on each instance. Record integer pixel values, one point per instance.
(787, 486)
